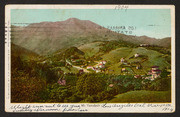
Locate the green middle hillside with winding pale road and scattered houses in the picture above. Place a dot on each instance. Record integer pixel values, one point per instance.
(92, 53)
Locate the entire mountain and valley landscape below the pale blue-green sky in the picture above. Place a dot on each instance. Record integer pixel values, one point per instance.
(79, 61)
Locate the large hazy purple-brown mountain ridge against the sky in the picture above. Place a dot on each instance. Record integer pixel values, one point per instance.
(48, 37)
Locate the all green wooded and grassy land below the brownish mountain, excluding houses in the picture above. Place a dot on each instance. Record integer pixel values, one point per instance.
(35, 78)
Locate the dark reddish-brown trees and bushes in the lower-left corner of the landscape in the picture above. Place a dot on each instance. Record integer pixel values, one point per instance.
(28, 79)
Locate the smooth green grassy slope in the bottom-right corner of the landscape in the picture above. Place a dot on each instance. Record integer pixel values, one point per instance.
(142, 96)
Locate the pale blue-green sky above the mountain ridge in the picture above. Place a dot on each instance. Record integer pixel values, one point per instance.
(154, 23)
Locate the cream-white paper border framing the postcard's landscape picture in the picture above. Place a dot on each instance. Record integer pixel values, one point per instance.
(9, 107)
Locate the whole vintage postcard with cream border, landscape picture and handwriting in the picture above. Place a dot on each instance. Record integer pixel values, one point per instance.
(90, 58)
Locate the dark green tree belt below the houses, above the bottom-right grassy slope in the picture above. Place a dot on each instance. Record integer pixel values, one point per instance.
(95, 87)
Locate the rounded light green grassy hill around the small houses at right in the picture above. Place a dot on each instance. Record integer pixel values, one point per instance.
(154, 58)
